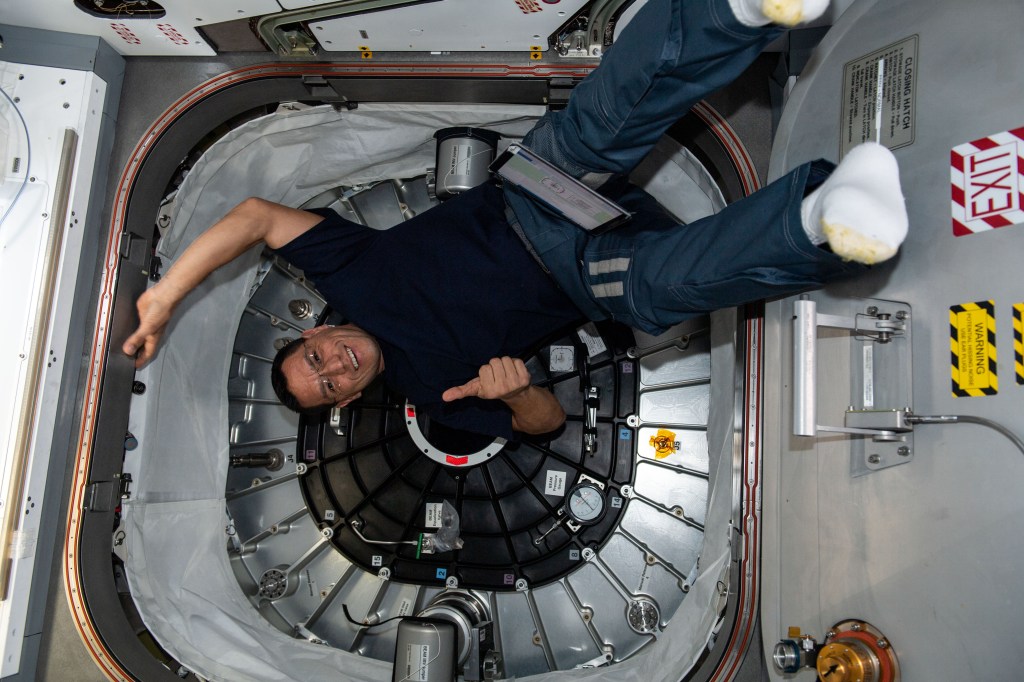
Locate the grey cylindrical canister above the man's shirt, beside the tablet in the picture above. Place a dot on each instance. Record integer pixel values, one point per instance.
(463, 157)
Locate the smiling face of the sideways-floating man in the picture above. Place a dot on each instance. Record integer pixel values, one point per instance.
(333, 366)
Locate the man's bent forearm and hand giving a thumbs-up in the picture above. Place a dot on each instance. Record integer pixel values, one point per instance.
(506, 379)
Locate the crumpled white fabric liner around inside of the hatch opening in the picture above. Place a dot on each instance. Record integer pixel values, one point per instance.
(178, 565)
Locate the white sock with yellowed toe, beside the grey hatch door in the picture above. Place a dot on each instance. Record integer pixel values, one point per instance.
(860, 210)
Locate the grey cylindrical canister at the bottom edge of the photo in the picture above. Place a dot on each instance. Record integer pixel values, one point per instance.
(424, 652)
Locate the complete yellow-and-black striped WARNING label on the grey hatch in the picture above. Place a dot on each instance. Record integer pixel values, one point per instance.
(972, 347)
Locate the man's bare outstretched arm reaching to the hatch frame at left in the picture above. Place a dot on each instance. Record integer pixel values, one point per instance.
(251, 223)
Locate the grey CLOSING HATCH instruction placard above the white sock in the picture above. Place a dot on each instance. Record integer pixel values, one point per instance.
(880, 94)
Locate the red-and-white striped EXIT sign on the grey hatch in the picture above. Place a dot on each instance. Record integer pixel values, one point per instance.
(987, 178)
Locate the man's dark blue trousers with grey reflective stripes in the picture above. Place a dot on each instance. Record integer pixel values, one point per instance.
(653, 273)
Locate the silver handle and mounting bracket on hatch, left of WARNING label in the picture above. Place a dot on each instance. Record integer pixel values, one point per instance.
(881, 379)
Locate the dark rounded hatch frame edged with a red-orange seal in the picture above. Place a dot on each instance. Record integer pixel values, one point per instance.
(98, 485)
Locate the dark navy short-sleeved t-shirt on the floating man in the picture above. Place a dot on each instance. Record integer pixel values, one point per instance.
(444, 293)
